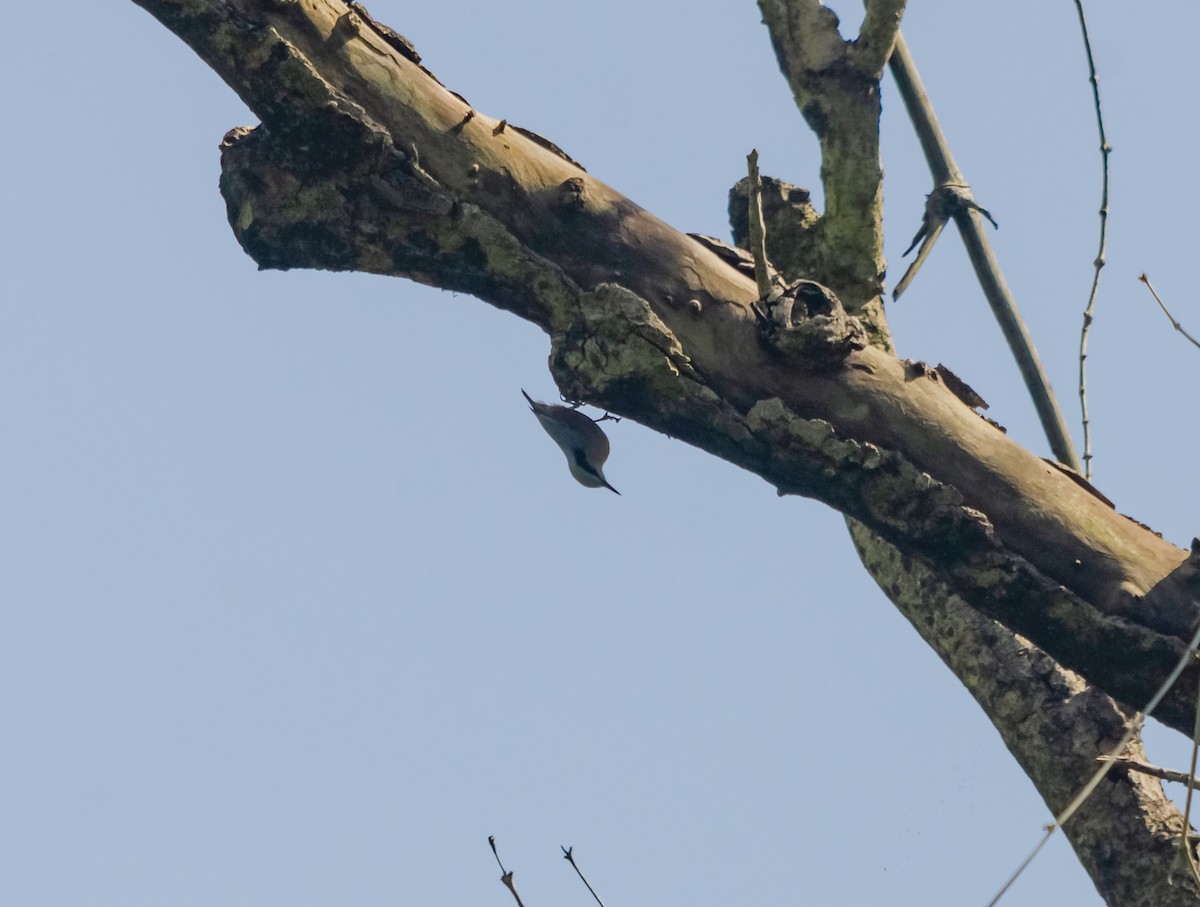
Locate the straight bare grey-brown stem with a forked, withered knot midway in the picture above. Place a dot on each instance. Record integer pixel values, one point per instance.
(1004, 307)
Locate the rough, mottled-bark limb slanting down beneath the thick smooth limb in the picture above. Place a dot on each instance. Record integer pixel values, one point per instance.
(1055, 726)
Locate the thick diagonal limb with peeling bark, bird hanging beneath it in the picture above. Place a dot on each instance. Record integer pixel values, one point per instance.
(365, 161)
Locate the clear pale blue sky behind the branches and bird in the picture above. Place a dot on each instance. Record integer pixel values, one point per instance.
(299, 604)
